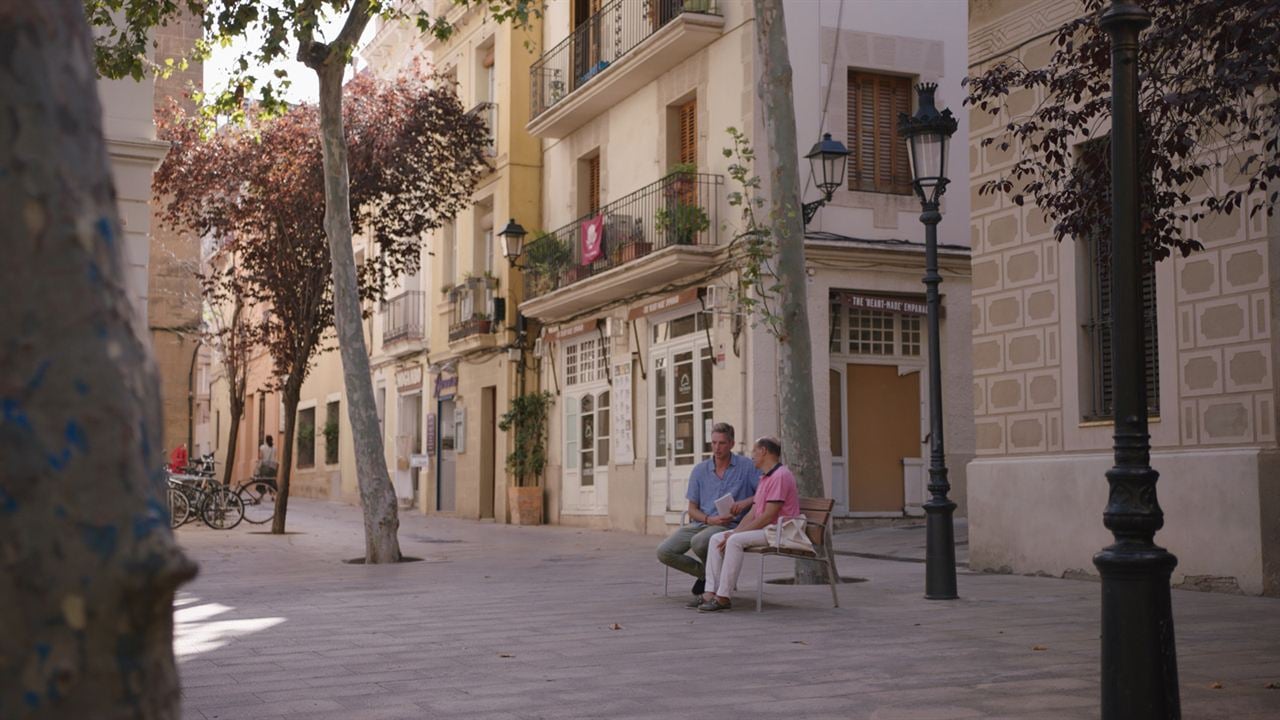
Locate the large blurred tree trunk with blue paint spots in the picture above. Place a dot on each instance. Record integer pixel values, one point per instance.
(89, 566)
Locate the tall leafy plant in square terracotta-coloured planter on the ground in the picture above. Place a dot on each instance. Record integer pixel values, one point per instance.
(528, 458)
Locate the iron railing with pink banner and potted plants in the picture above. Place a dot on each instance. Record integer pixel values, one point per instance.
(680, 209)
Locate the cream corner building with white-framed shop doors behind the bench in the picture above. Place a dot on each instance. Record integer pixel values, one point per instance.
(644, 345)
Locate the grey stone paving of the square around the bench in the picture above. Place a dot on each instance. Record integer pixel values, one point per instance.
(504, 623)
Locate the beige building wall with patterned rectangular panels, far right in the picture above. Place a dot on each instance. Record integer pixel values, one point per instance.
(1041, 389)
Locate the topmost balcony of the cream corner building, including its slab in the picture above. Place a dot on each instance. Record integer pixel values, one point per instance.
(612, 54)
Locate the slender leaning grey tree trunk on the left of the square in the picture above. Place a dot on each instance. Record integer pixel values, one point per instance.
(377, 495)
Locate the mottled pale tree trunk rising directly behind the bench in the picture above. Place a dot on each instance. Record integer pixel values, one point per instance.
(796, 362)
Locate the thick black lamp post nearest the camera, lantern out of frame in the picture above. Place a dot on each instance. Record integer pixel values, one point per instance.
(1140, 664)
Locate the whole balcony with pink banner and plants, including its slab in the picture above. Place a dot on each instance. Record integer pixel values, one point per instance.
(666, 230)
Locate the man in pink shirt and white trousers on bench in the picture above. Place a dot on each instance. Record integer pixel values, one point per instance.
(776, 499)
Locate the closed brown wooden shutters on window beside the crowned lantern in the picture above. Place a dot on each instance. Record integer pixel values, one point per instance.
(879, 157)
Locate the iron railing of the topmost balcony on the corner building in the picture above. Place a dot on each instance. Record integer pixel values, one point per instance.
(601, 40)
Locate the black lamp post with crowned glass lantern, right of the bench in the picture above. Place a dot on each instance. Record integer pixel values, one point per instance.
(929, 134)
